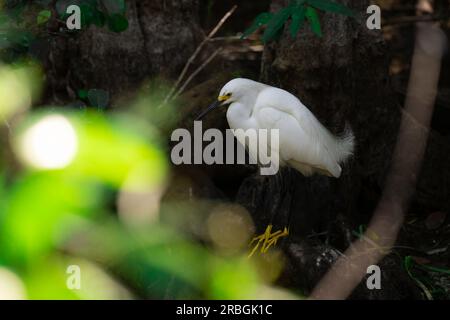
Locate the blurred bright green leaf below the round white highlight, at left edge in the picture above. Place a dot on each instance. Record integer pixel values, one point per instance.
(37, 204)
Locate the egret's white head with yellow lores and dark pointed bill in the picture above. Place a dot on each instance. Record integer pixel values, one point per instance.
(233, 91)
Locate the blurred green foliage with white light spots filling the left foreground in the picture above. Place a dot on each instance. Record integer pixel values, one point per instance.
(79, 212)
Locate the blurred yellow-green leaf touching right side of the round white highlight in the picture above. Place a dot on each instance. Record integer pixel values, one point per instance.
(110, 151)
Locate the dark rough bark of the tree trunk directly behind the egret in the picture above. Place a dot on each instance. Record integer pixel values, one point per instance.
(342, 78)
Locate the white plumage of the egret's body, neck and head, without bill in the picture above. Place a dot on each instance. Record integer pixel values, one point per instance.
(305, 144)
